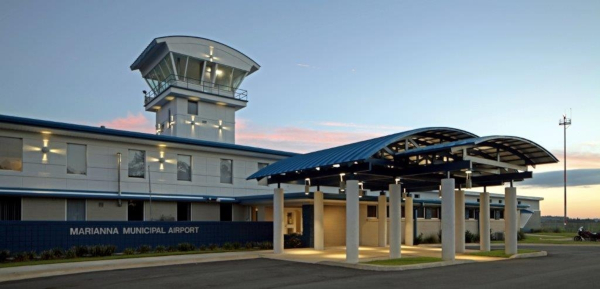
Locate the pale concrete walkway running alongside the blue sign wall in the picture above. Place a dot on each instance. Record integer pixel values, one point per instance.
(37, 271)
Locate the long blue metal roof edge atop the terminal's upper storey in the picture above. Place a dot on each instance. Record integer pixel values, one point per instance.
(138, 135)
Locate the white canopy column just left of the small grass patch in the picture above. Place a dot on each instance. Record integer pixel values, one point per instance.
(352, 225)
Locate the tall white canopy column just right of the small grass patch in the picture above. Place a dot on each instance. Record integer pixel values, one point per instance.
(448, 224)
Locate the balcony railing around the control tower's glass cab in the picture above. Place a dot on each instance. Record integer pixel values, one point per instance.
(195, 84)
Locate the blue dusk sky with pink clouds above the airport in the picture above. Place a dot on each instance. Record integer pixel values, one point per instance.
(334, 72)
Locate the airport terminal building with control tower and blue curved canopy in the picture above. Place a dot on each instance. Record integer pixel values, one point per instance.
(192, 172)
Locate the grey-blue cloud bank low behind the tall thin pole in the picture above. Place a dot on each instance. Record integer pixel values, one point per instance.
(553, 179)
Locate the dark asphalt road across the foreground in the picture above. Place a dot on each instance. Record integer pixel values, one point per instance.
(565, 267)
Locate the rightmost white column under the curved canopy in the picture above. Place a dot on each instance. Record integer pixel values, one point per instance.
(510, 220)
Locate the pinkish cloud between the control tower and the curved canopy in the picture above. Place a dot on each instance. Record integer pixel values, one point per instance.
(297, 139)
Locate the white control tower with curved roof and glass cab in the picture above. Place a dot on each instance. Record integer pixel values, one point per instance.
(194, 86)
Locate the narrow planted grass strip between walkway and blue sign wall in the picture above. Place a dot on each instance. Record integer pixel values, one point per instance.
(114, 257)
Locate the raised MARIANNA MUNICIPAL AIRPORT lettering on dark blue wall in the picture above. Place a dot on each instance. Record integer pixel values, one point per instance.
(83, 231)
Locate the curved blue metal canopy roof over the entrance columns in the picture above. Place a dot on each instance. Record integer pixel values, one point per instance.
(421, 157)
